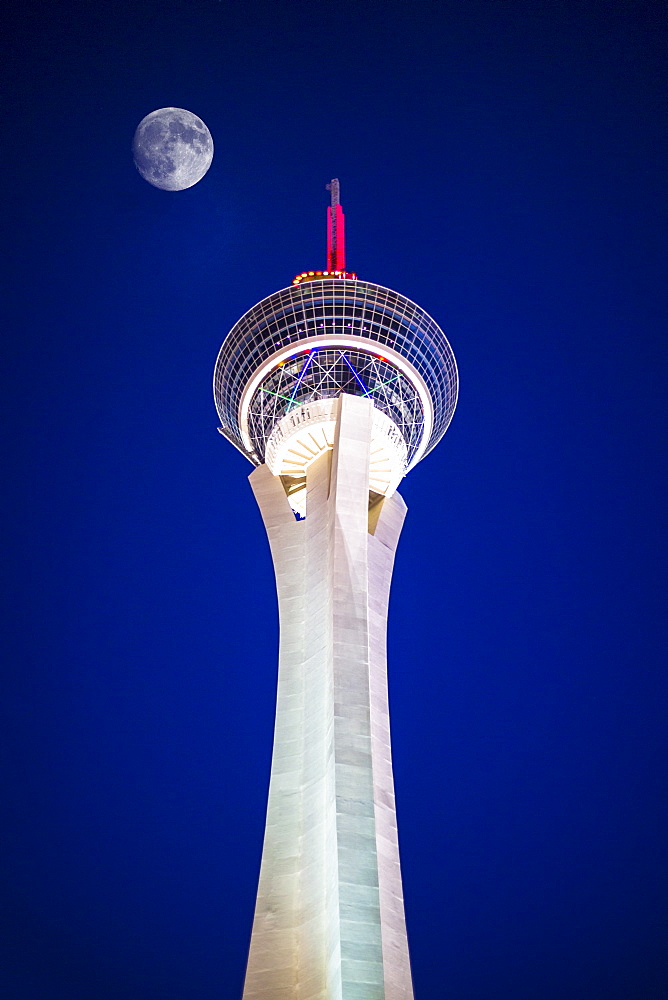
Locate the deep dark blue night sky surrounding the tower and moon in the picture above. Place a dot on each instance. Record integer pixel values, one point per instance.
(502, 164)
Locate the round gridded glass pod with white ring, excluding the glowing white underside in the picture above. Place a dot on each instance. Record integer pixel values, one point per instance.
(318, 339)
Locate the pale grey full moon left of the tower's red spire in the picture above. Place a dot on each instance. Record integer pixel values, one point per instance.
(172, 149)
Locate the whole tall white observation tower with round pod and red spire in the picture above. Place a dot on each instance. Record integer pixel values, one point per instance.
(334, 388)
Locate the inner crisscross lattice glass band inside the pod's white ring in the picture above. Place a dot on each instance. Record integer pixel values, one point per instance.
(323, 373)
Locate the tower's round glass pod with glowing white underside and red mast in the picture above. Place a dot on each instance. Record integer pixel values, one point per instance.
(285, 361)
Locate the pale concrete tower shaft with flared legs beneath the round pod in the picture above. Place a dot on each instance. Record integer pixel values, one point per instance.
(329, 921)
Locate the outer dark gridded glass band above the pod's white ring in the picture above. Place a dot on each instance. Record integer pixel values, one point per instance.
(320, 308)
